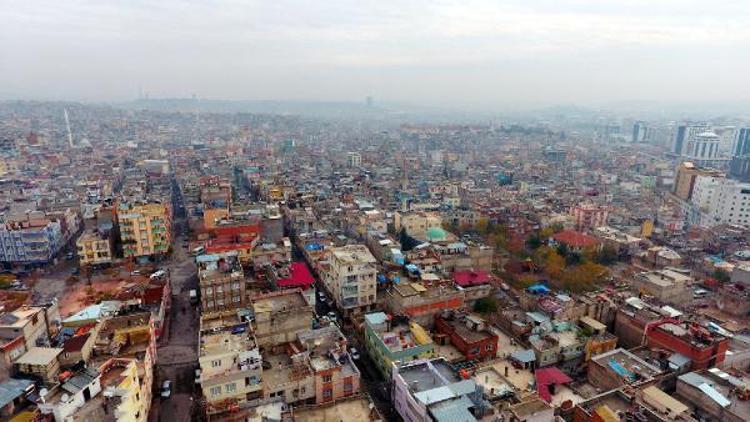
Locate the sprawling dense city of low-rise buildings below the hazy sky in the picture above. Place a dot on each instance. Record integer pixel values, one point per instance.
(177, 265)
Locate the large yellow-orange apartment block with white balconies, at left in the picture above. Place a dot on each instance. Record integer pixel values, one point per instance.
(145, 229)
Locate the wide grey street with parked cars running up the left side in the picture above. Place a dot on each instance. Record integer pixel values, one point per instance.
(177, 354)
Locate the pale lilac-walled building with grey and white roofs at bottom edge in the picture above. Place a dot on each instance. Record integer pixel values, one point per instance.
(430, 390)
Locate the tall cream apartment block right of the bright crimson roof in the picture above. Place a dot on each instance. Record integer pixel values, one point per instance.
(350, 279)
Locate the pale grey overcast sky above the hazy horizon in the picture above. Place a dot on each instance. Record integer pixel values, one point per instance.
(477, 54)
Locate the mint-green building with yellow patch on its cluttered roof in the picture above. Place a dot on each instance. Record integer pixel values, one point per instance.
(388, 342)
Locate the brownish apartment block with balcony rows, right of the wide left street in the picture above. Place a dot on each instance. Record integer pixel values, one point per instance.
(222, 282)
